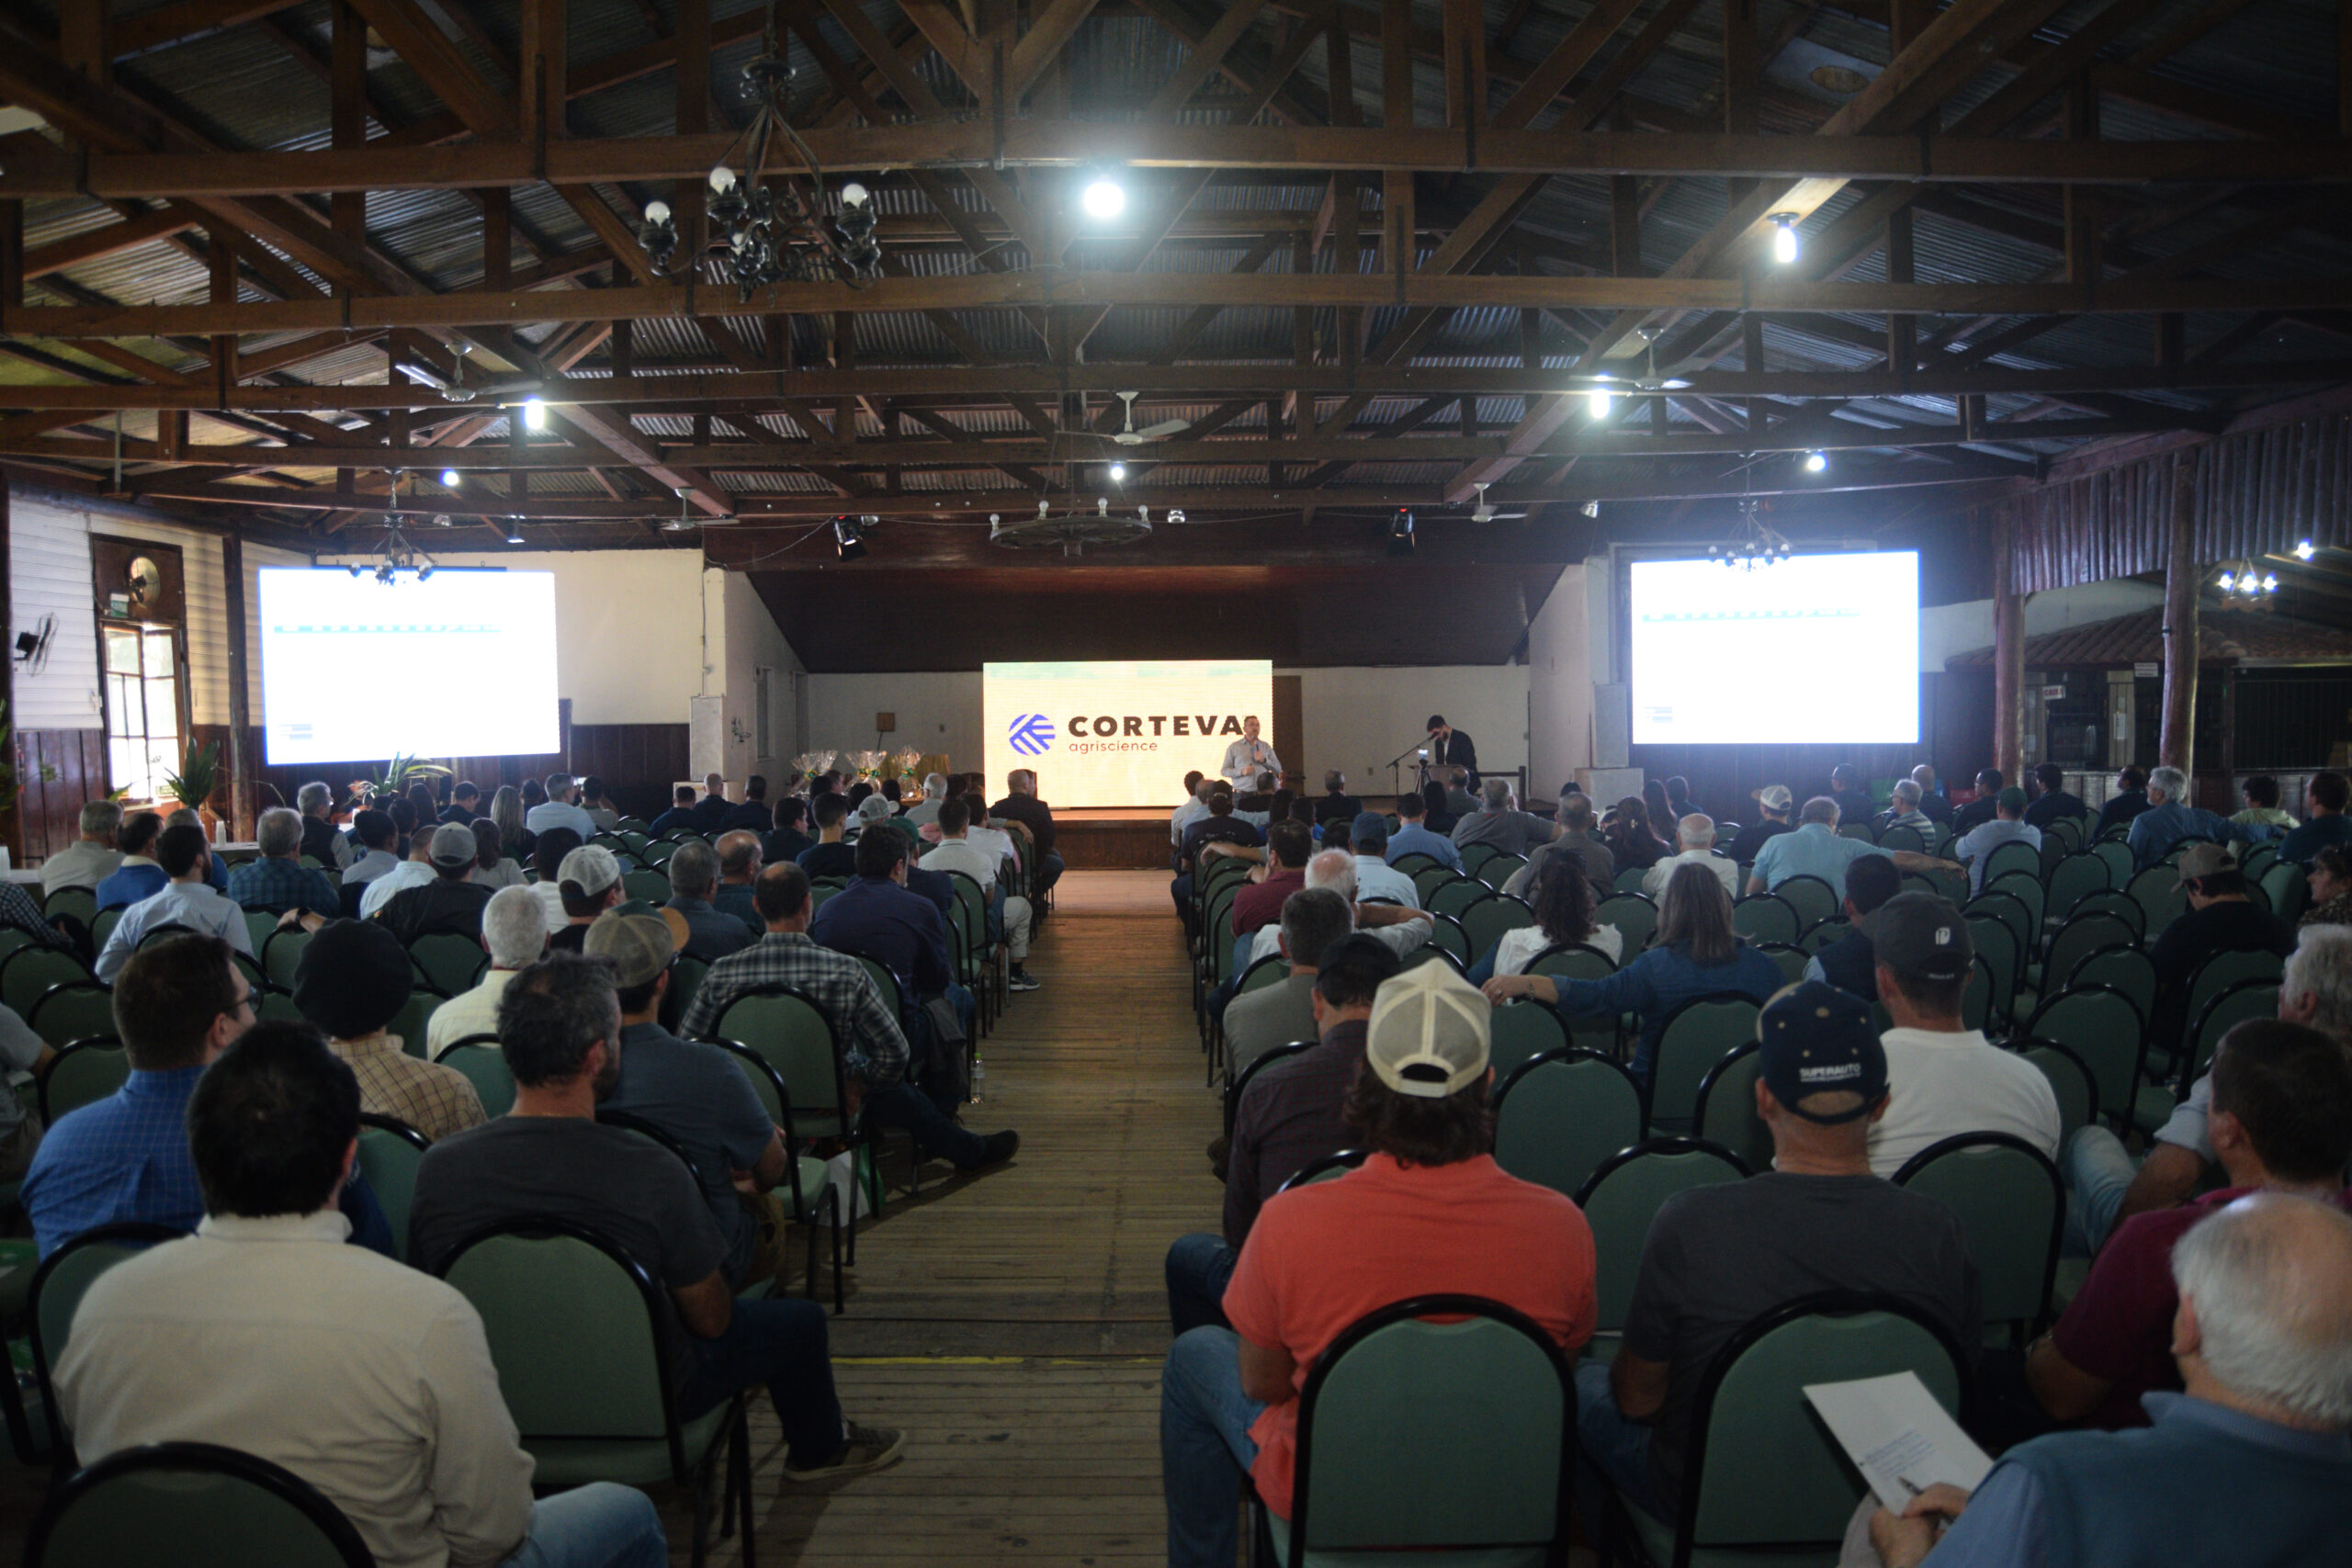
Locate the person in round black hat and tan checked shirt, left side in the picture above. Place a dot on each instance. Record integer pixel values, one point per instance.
(352, 981)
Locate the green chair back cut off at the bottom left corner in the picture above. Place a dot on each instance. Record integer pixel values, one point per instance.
(192, 1506)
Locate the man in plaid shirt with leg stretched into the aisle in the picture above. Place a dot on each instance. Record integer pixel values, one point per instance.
(874, 1050)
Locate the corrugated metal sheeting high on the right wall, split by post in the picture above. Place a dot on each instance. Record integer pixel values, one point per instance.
(2259, 492)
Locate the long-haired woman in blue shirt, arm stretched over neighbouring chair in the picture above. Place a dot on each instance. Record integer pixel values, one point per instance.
(1695, 953)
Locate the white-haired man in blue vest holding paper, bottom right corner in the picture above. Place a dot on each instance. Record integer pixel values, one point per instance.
(2245, 1468)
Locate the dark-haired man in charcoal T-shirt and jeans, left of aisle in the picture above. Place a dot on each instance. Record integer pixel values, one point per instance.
(561, 1028)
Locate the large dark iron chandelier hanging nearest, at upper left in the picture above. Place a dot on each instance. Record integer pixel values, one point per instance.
(770, 225)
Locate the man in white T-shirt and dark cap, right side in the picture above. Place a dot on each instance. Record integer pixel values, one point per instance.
(1946, 1078)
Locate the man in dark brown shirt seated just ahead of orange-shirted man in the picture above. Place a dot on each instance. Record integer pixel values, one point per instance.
(1290, 1115)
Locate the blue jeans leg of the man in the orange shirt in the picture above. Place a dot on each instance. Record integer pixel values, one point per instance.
(1205, 1447)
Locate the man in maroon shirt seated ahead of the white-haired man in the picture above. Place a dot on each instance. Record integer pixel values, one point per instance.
(2283, 1123)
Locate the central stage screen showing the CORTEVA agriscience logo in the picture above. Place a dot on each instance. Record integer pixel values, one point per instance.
(1121, 732)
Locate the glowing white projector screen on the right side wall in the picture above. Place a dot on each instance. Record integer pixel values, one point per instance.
(1810, 650)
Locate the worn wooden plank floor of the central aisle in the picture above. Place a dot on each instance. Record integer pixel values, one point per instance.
(1015, 1322)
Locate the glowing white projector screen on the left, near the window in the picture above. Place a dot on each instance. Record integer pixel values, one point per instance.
(460, 664)
